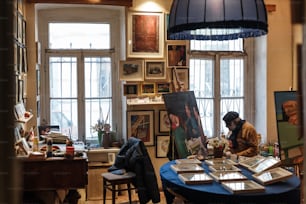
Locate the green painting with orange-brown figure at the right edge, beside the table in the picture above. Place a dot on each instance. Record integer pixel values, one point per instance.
(288, 121)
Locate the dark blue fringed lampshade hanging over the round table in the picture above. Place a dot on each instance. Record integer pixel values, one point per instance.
(217, 19)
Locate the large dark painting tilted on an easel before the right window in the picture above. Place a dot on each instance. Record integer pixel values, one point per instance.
(185, 124)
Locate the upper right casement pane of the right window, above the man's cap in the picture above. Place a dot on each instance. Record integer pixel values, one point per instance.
(231, 76)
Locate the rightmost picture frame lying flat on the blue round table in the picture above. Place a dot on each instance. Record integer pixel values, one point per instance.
(272, 176)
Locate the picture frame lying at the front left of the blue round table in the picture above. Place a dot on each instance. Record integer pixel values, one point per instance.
(195, 178)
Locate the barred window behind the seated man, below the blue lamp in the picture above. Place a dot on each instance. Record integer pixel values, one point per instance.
(218, 79)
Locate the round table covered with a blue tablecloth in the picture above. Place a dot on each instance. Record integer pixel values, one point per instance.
(284, 192)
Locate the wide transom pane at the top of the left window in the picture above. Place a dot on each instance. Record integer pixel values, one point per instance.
(79, 36)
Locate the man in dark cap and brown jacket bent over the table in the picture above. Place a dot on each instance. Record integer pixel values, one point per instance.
(242, 138)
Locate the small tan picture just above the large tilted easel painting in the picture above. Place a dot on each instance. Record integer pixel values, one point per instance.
(180, 78)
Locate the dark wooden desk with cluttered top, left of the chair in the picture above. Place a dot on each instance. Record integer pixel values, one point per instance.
(54, 173)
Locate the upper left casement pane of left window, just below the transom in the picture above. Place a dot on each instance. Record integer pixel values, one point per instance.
(63, 81)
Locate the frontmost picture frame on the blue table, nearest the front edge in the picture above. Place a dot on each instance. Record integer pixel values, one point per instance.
(245, 186)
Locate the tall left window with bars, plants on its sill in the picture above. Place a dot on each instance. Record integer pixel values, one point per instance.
(79, 72)
